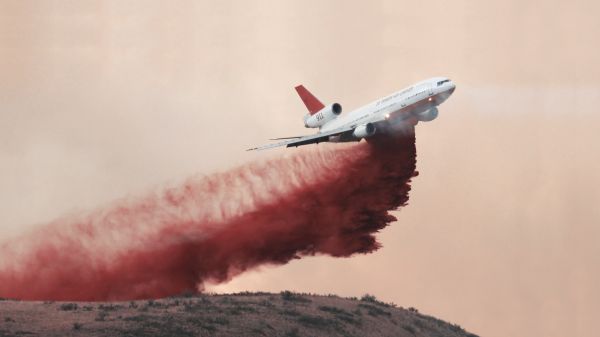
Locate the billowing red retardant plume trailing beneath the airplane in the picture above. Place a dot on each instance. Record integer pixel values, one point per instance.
(318, 201)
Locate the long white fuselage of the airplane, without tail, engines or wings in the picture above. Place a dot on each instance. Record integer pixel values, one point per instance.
(398, 106)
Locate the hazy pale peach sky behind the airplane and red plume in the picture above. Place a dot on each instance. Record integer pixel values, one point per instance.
(105, 99)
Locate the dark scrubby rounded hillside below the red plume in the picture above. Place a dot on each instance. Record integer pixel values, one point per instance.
(245, 314)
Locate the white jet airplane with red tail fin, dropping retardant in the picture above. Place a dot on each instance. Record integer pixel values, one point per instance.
(417, 103)
